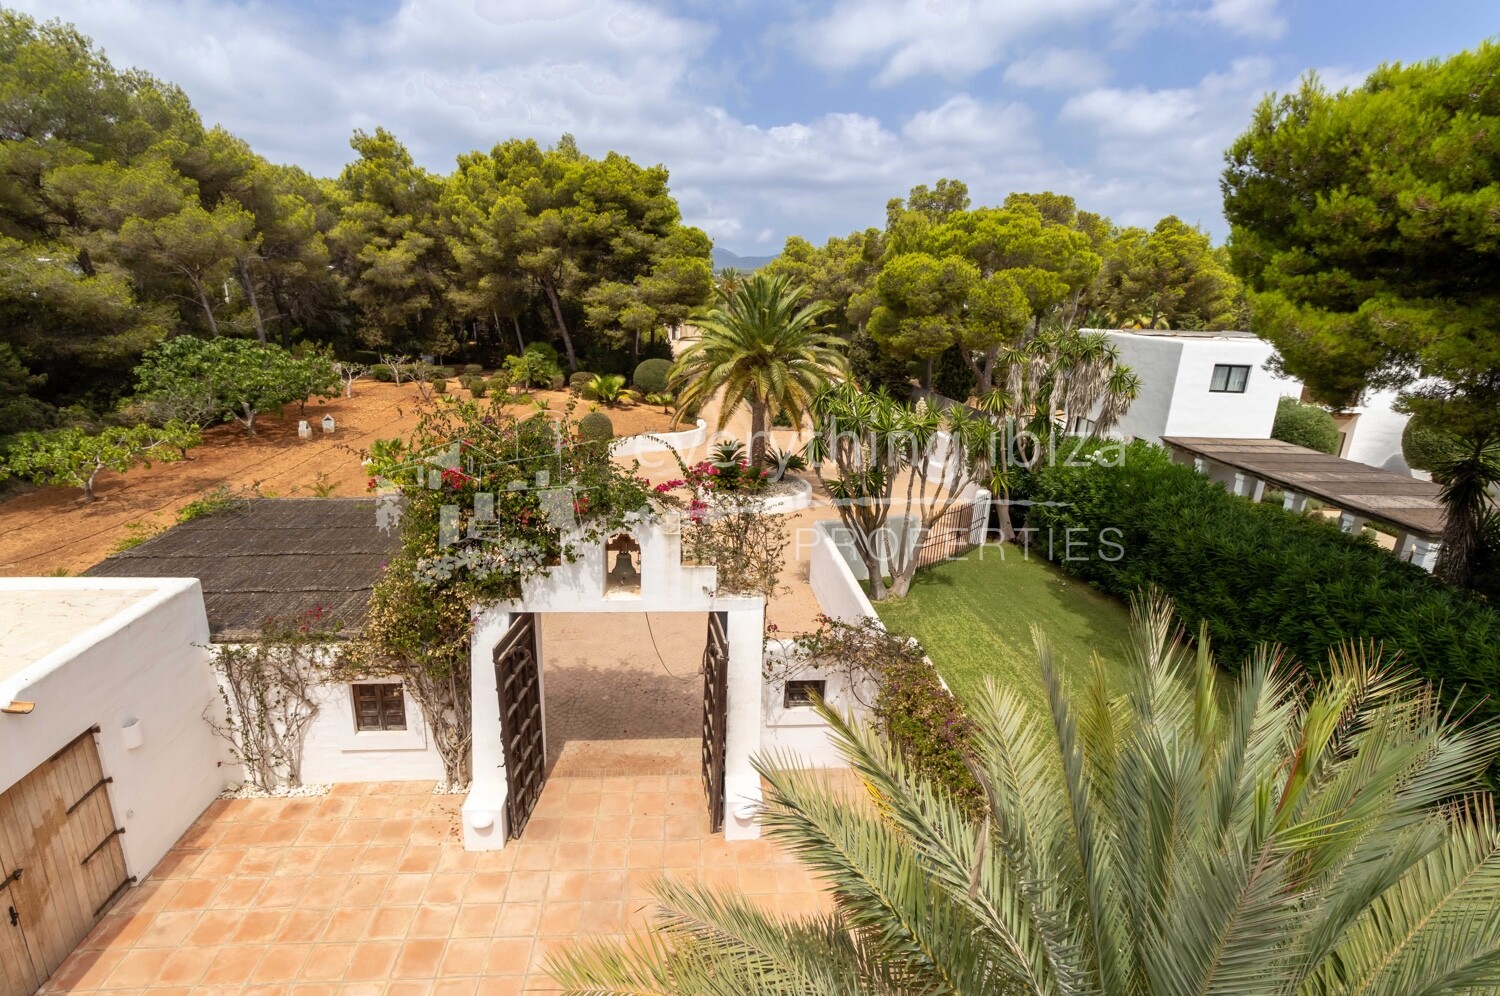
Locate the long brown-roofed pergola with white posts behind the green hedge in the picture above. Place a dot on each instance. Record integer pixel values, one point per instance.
(1358, 491)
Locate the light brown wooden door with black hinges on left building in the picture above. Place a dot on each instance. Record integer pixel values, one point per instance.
(62, 863)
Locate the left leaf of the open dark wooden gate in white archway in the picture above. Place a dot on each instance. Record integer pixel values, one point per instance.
(518, 676)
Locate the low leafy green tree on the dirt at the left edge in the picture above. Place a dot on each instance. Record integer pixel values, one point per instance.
(74, 458)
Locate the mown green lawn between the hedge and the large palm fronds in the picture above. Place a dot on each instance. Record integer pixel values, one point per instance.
(974, 619)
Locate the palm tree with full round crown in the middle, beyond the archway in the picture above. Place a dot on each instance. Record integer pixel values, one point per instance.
(760, 344)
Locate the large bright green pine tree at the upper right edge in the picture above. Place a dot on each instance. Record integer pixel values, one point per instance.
(1367, 226)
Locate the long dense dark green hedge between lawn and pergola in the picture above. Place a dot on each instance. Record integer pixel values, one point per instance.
(1261, 575)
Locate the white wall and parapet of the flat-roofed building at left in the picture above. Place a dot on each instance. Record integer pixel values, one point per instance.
(149, 664)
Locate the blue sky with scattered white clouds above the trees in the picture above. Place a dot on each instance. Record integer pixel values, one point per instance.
(781, 119)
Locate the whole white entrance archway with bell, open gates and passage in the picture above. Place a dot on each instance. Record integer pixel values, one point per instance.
(616, 686)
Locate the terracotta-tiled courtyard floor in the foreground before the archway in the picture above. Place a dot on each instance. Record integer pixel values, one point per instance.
(370, 890)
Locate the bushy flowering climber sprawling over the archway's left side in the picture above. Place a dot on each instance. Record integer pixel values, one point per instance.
(475, 539)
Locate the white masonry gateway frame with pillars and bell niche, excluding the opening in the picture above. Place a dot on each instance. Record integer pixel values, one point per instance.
(580, 587)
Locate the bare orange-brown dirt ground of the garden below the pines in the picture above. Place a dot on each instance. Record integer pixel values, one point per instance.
(52, 530)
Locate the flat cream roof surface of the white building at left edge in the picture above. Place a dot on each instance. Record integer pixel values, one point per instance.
(38, 622)
